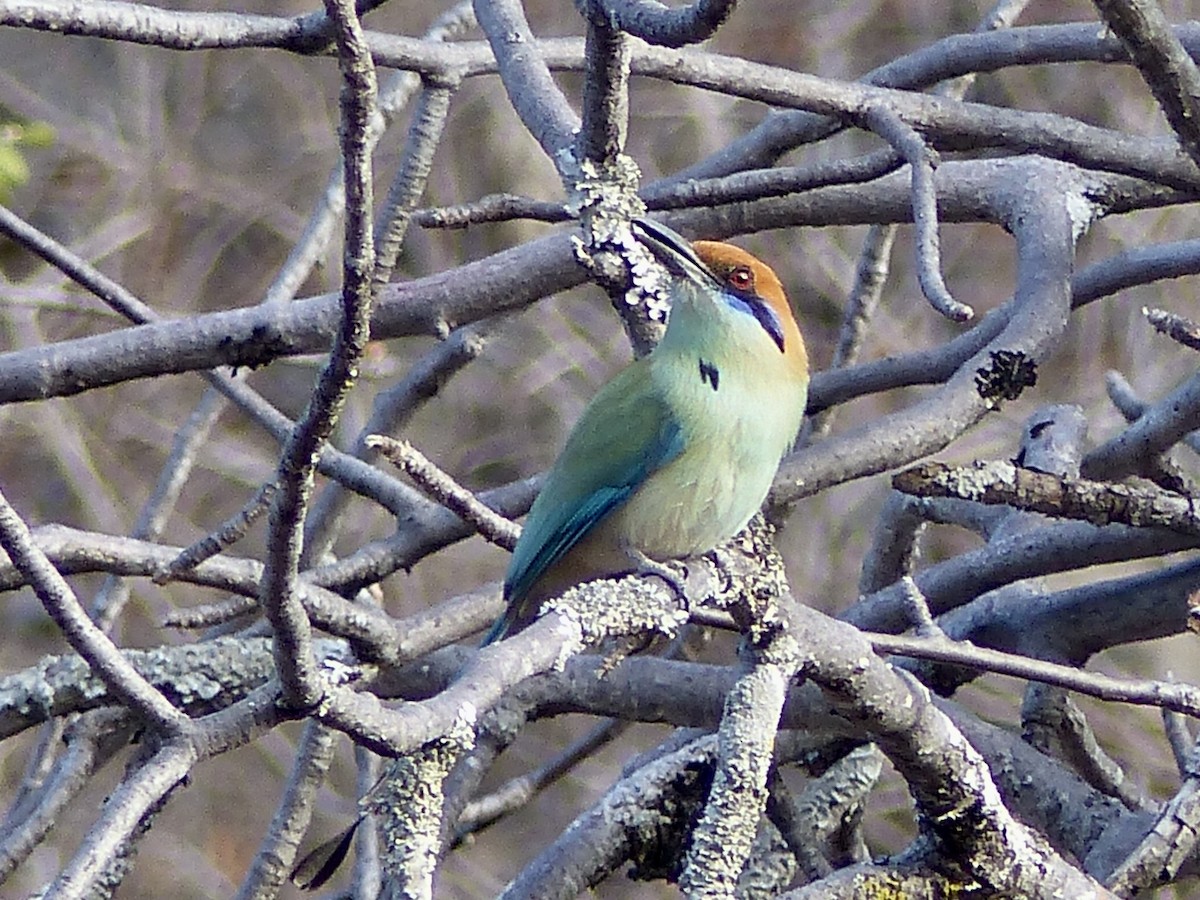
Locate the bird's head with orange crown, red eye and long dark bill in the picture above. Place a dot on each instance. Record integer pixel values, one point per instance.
(741, 287)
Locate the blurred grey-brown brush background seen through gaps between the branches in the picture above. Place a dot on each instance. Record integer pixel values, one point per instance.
(189, 177)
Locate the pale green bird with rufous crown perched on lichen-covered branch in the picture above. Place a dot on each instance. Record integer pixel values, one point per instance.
(677, 453)
